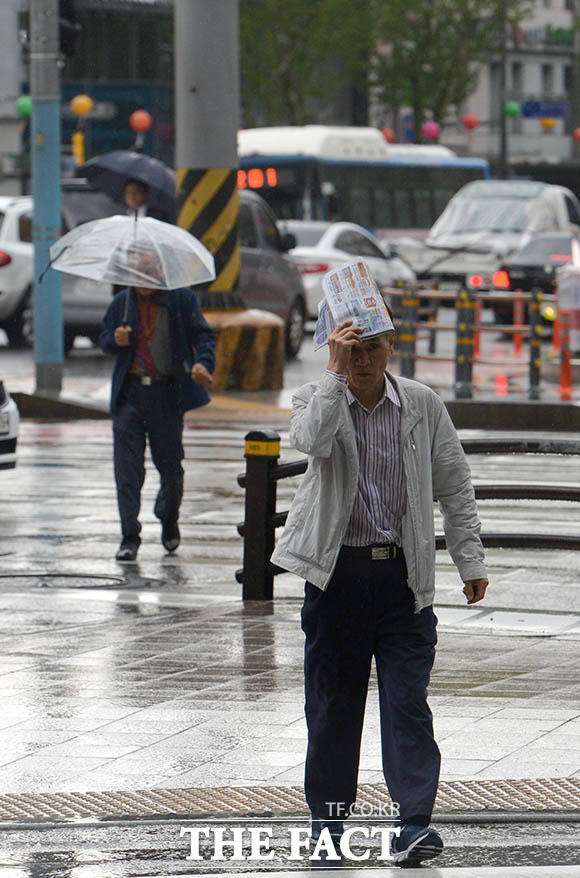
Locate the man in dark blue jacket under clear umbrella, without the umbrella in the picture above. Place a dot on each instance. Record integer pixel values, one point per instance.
(153, 334)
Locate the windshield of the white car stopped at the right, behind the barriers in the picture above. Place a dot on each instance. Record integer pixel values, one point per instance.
(494, 215)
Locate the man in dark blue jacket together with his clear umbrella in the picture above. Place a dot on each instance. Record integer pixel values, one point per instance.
(164, 349)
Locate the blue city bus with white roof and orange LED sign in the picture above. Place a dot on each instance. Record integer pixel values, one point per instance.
(343, 173)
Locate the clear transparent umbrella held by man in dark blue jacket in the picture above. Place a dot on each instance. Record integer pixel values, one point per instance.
(133, 251)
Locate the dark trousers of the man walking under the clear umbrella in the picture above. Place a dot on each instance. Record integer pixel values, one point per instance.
(147, 413)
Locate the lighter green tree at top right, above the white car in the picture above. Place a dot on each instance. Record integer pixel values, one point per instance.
(429, 51)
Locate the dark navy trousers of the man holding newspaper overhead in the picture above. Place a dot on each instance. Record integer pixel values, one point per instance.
(368, 610)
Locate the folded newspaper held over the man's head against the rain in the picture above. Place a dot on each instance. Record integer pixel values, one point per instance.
(350, 293)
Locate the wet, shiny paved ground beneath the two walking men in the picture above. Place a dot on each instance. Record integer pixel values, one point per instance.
(124, 684)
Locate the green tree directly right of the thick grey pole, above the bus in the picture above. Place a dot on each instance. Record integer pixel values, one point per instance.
(296, 51)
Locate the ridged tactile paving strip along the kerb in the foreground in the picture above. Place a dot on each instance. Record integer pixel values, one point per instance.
(549, 794)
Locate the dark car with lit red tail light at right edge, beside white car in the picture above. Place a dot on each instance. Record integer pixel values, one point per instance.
(532, 267)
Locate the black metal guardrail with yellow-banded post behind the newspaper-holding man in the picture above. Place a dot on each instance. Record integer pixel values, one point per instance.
(262, 450)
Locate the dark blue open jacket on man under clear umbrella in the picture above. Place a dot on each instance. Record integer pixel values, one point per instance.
(192, 341)
